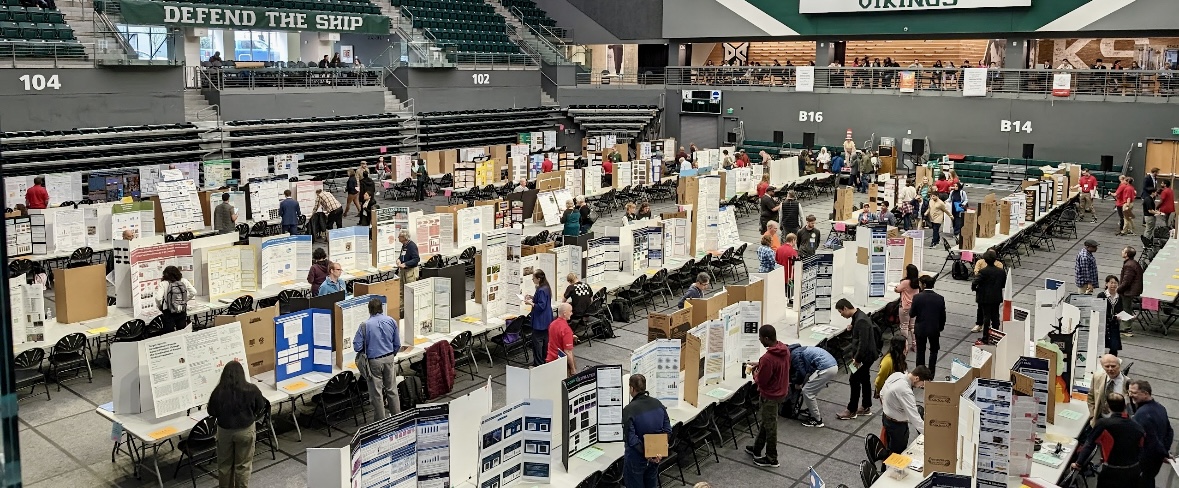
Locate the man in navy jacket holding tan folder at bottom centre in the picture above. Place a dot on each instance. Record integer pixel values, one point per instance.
(643, 417)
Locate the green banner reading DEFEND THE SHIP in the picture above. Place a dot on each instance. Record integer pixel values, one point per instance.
(146, 12)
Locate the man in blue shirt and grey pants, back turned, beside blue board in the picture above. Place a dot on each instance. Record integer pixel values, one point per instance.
(380, 341)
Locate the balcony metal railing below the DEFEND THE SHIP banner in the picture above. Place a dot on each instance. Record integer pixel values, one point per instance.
(288, 78)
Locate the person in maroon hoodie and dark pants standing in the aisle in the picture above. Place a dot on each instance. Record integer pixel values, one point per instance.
(772, 374)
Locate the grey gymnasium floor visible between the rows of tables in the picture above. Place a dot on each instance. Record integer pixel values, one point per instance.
(64, 444)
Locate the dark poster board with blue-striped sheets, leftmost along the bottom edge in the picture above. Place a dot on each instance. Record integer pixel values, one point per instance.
(411, 450)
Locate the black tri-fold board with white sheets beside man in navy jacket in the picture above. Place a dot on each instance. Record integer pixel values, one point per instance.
(594, 410)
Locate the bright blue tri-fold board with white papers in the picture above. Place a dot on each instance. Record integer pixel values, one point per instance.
(302, 344)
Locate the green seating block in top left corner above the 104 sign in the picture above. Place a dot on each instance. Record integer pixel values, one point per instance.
(35, 32)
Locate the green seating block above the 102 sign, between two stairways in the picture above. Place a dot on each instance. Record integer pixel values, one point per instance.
(472, 27)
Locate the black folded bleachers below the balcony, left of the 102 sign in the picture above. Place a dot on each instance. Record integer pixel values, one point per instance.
(327, 144)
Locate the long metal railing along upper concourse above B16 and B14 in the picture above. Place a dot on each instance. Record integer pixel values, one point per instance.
(1114, 85)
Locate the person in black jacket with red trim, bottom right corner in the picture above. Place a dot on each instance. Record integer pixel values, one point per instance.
(1122, 446)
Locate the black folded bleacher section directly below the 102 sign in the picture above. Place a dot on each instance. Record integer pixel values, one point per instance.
(447, 130)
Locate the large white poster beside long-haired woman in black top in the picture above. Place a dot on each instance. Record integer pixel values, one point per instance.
(182, 370)
